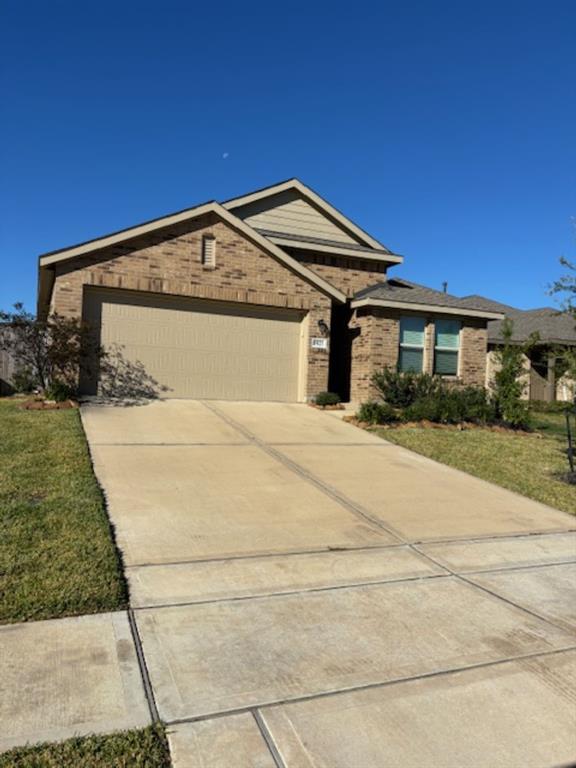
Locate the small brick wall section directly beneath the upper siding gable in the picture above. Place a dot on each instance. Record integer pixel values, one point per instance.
(346, 274)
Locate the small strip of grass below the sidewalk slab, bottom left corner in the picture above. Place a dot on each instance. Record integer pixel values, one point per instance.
(146, 748)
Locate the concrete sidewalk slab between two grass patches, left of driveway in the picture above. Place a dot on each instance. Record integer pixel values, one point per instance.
(69, 677)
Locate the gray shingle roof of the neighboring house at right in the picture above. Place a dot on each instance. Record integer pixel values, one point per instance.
(552, 325)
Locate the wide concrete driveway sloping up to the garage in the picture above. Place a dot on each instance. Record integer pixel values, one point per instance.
(308, 595)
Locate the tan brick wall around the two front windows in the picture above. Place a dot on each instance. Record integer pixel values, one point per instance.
(376, 342)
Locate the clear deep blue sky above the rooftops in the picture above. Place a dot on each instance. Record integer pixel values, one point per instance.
(446, 129)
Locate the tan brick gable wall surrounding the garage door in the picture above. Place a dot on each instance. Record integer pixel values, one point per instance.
(169, 262)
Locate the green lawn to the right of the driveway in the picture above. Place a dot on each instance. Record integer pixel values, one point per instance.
(532, 464)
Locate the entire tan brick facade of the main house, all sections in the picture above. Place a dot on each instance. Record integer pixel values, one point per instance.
(168, 261)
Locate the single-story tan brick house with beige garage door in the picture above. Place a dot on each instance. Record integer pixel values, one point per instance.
(274, 295)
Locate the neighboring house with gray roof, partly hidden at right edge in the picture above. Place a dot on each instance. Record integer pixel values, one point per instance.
(545, 365)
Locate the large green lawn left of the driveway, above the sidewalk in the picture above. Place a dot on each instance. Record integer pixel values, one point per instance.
(57, 556)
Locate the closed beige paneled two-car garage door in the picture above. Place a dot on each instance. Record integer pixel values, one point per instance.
(198, 349)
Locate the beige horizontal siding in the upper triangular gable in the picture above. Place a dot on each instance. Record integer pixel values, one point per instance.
(287, 212)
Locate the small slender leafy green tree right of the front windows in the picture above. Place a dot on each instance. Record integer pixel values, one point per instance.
(507, 386)
